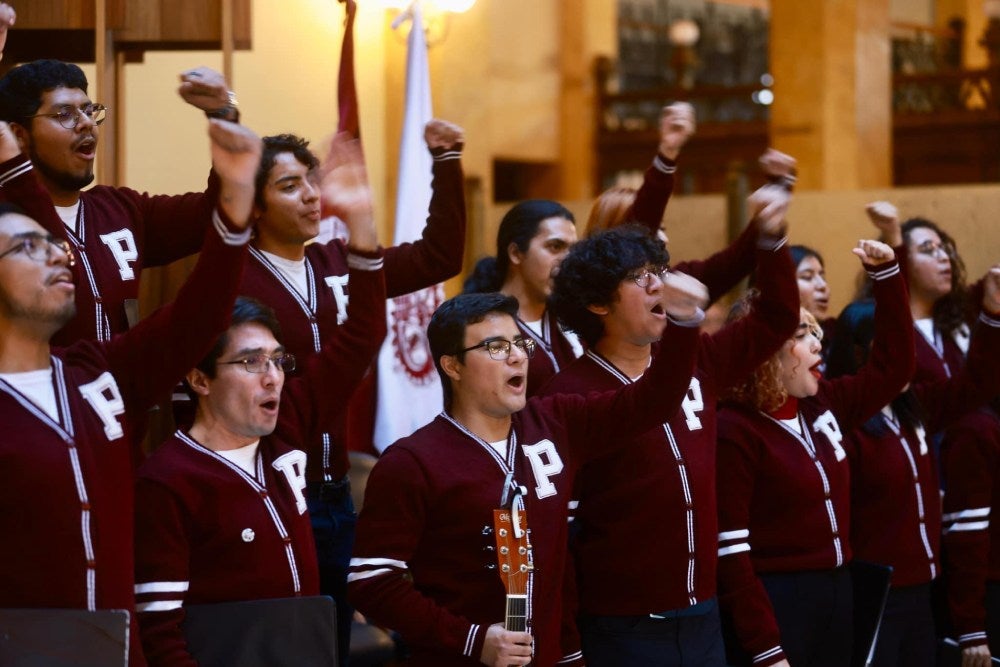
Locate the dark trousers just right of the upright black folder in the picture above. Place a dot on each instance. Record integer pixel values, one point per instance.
(907, 635)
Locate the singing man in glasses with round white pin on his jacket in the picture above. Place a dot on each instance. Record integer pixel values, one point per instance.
(221, 507)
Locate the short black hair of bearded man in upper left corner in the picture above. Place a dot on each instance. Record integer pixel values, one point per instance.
(21, 88)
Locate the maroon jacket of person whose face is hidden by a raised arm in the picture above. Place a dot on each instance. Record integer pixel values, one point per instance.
(895, 496)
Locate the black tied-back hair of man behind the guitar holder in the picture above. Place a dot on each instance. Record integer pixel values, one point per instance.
(518, 226)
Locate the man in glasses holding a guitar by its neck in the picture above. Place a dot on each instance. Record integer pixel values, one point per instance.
(424, 562)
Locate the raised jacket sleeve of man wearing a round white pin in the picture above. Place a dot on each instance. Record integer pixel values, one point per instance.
(316, 401)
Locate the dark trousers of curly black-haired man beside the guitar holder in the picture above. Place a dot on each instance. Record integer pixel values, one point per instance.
(683, 639)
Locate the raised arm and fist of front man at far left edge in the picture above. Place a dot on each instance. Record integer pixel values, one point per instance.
(150, 358)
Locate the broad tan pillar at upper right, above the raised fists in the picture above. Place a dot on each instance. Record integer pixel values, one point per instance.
(833, 91)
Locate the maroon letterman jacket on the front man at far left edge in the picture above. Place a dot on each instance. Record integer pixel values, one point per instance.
(66, 499)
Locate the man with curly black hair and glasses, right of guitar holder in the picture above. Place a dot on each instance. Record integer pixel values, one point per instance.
(656, 606)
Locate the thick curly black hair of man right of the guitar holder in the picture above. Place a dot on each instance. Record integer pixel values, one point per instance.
(592, 271)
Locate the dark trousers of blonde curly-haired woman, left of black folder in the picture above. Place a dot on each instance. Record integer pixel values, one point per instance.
(814, 614)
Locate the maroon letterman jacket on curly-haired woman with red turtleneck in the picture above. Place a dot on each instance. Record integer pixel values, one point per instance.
(762, 464)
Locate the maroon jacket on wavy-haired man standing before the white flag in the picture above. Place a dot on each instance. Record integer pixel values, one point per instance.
(306, 322)
